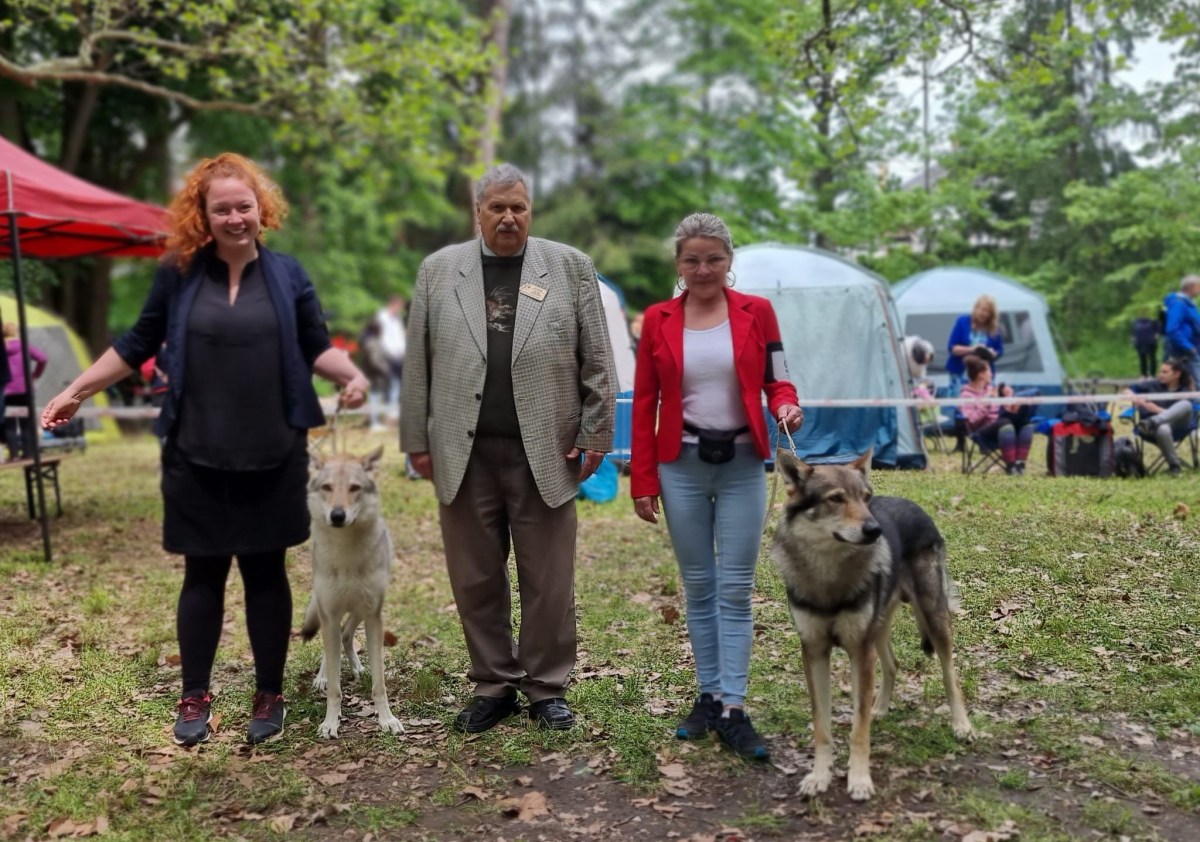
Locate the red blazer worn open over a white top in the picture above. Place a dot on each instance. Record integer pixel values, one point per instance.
(658, 382)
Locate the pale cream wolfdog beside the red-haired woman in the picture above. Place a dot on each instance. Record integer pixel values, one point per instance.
(352, 556)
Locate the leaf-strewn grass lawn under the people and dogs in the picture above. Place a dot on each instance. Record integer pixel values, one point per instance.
(1079, 647)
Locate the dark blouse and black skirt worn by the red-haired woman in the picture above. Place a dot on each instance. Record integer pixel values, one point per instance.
(233, 471)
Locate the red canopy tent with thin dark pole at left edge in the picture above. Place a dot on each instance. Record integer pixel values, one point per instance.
(51, 214)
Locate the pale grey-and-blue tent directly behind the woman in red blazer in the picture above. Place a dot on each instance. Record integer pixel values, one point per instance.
(842, 339)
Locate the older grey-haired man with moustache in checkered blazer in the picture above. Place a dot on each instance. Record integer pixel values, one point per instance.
(509, 396)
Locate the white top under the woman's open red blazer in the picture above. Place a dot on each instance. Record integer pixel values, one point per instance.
(712, 396)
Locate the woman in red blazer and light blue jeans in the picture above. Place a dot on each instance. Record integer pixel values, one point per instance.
(700, 440)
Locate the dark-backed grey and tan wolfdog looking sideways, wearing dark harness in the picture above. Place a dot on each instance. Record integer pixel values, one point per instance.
(849, 560)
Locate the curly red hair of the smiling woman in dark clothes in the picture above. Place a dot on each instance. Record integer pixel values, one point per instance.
(189, 220)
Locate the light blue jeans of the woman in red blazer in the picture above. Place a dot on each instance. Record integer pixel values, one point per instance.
(715, 516)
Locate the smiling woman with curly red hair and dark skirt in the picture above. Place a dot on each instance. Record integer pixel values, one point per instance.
(247, 335)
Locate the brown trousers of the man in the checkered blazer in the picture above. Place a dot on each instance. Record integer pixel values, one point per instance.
(499, 504)
